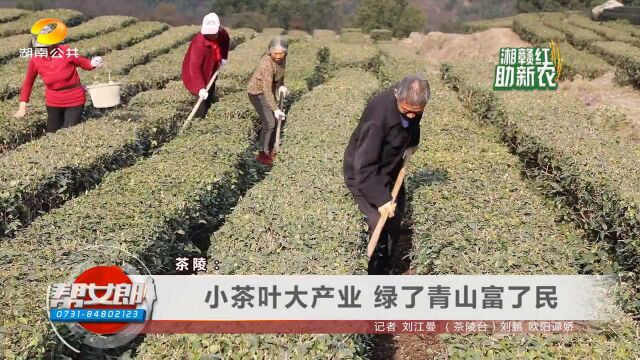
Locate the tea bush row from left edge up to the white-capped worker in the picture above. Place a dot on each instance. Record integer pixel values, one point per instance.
(42, 181)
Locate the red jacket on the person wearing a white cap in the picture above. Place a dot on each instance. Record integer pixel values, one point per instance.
(202, 60)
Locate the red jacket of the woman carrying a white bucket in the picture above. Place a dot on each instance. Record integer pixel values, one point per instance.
(61, 80)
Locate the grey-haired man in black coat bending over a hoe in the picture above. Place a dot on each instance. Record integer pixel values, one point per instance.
(389, 130)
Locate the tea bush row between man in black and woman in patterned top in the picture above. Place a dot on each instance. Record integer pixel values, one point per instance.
(298, 220)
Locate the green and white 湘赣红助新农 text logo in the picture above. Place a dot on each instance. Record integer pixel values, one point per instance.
(528, 68)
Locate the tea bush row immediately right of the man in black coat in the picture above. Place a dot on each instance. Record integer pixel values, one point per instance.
(472, 213)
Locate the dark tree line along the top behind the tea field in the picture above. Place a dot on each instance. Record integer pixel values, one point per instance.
(400, 16)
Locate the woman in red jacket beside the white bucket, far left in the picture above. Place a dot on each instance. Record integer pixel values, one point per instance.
(64, 94)
